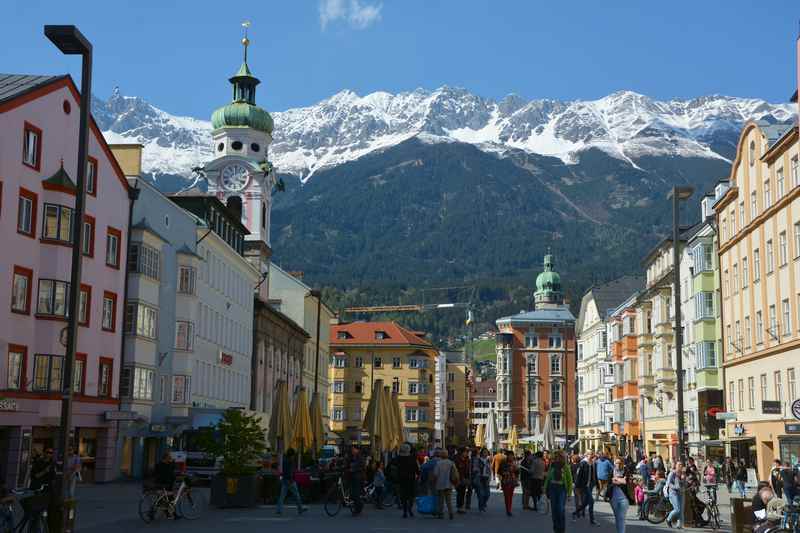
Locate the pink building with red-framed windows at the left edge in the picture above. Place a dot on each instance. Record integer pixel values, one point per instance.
(39, 119)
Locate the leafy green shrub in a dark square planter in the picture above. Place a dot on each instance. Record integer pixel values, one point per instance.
(238, 440)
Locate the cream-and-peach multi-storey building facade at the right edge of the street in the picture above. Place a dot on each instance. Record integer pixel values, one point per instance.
(759, 257)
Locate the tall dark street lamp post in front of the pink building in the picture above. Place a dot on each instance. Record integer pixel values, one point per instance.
(71, 41)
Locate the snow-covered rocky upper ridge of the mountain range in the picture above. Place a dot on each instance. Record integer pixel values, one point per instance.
(346, 126)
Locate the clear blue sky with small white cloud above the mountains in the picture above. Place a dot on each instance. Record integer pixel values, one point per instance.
(178, 54)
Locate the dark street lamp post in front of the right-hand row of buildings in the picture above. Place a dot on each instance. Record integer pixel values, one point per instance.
(677, 194)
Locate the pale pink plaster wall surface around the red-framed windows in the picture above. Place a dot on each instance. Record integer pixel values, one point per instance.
(110, 208)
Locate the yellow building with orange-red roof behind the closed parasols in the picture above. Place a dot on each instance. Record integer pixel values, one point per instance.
(365, 352)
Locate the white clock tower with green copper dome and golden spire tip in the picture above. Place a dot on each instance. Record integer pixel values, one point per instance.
(240, 174)
